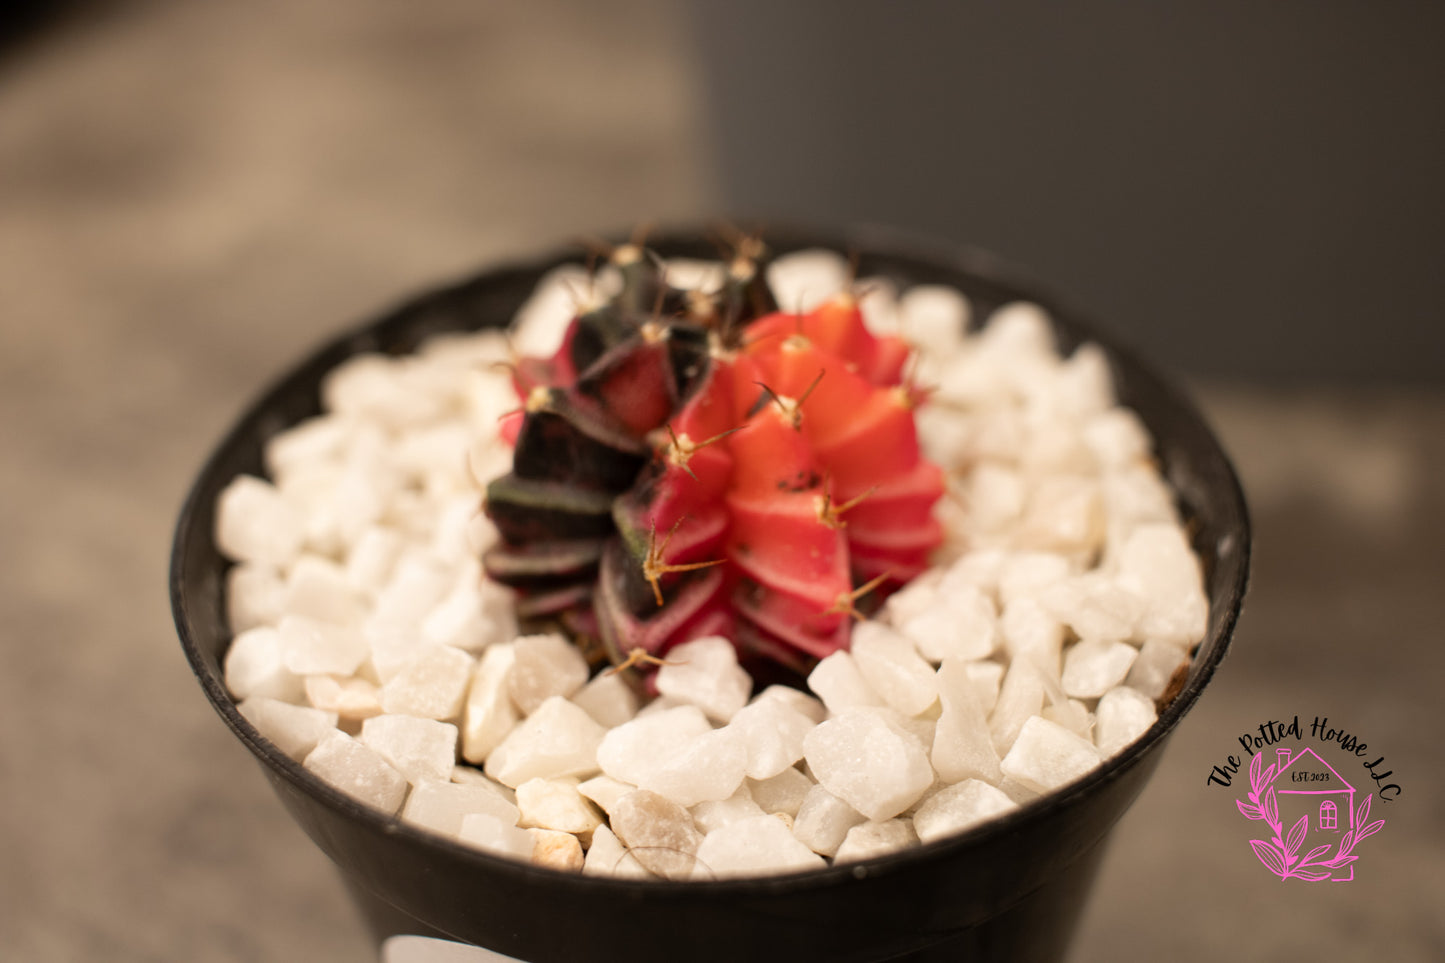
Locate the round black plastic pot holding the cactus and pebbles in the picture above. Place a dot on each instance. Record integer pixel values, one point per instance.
(1006, 891)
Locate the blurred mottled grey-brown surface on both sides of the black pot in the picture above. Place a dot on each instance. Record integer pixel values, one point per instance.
(193, 194)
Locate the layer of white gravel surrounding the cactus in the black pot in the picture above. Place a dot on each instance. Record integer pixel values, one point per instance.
(1061, 605)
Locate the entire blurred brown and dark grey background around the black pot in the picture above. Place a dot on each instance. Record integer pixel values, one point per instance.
(194, 194)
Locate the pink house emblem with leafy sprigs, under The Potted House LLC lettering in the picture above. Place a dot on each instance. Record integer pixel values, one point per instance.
(1326, 819)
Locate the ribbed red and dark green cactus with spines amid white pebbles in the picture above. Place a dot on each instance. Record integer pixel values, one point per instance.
(700, 463)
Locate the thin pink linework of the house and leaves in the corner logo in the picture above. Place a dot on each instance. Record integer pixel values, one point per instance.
(1281, 854)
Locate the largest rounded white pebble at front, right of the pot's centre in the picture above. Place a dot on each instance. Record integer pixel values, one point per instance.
(869, 763)
